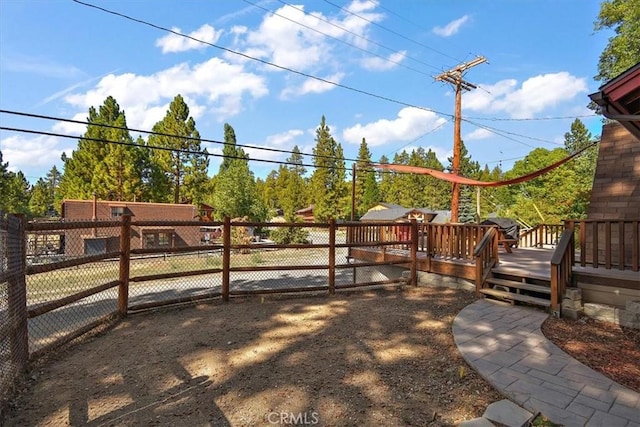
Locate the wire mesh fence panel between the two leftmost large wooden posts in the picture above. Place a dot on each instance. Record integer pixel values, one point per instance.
(72, 279)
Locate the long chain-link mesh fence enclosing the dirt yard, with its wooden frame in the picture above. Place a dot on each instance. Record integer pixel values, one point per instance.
(60, 280)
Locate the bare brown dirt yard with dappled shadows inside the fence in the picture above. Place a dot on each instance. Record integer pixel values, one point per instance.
(383, 357)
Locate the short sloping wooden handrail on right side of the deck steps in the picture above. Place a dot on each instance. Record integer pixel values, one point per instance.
(561, 269)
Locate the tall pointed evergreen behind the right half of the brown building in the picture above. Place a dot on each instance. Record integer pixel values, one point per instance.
(182, 169)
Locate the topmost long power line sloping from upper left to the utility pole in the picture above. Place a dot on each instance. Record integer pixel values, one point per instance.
(263, 61)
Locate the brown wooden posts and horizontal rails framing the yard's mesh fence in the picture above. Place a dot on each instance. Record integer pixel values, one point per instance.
(118, 260)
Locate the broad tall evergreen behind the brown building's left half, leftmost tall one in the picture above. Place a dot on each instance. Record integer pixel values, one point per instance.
(104, 162)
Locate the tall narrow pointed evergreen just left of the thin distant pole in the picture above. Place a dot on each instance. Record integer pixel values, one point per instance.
(328, 188)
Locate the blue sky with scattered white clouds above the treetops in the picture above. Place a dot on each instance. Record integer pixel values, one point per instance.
(59, 57)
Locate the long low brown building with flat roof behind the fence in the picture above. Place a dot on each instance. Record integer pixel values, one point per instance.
(78, 242)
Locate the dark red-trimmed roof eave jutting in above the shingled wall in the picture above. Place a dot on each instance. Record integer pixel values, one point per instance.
(619, 99)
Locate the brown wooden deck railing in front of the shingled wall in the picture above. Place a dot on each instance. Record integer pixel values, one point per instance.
(607, 243)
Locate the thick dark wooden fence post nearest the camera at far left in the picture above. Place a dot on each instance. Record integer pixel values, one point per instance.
(17, 291)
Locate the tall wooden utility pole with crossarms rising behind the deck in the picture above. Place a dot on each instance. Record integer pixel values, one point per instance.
(455, 77)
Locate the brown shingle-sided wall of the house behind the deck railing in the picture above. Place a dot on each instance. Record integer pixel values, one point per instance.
(616, 186)
